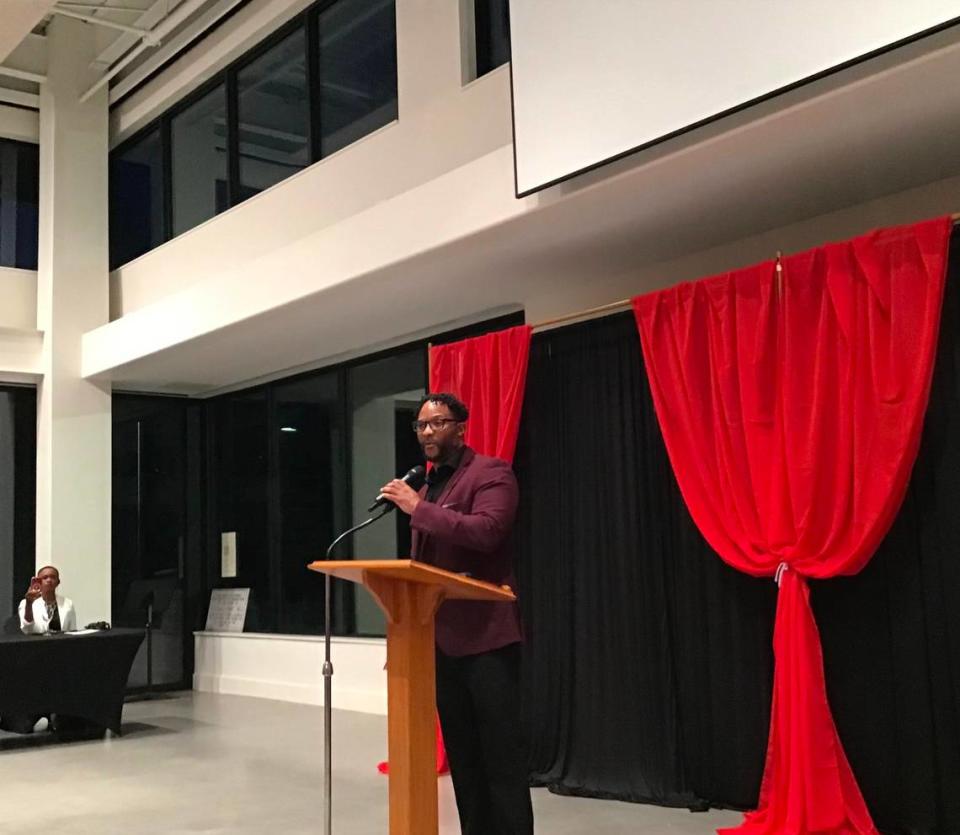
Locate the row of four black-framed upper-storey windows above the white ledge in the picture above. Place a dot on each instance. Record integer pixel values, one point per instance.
(324, 81)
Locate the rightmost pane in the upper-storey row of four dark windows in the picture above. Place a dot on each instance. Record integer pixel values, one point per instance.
(358, 70)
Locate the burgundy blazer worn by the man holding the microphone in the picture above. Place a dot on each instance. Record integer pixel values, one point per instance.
(468, 530)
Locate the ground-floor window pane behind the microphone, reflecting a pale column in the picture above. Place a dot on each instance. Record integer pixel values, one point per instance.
(384, 395)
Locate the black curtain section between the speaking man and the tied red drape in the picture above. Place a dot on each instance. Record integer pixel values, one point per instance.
(649, 662)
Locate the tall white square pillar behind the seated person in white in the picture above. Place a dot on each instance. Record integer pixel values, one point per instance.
(73, 420)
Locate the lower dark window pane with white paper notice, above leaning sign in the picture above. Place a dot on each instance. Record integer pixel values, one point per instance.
(241, 499)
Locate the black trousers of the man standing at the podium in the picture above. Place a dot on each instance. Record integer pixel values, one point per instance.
(478, 699)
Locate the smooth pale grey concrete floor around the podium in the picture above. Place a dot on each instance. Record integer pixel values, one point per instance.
(198, 763)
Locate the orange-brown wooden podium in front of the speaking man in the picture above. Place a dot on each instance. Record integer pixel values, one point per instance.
(409, 594)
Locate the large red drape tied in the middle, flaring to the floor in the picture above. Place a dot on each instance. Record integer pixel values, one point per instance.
(792, 409)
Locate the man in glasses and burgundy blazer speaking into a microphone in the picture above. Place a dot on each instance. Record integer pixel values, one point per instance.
(461, 522)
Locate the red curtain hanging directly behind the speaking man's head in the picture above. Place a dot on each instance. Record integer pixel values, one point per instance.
(489, 374)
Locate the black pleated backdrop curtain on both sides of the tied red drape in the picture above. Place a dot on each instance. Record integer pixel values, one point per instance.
(648, 663)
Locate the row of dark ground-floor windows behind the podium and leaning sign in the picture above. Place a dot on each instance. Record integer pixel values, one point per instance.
(292, 464)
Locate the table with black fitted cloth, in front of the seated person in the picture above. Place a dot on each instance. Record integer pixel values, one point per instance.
(73, 675)
